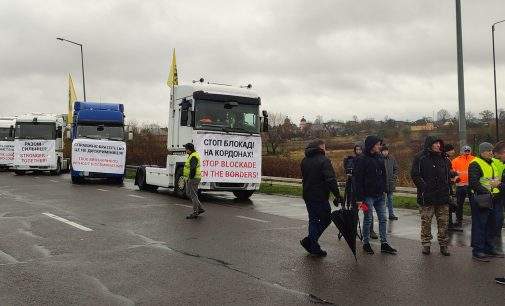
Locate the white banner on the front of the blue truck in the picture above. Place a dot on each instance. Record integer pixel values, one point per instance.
(102, 156)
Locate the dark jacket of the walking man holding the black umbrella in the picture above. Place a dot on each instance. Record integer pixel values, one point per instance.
(318, 176)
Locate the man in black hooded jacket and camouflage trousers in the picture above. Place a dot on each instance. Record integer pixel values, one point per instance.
(431, 175)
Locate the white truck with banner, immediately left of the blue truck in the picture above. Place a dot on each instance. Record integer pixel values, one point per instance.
(38, 144)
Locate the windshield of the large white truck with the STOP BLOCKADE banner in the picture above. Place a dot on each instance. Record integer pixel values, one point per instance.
(212, 115)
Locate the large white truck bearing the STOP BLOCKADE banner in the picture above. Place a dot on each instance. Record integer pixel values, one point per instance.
(224, 124)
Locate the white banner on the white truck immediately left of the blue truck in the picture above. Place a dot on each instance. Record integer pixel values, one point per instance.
(34, 152)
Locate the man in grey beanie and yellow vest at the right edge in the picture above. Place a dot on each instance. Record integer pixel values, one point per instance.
(484, 179)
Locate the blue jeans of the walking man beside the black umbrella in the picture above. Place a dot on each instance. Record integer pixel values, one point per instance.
(319, 219)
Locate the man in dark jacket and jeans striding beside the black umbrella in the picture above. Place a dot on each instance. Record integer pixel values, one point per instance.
(319, 180)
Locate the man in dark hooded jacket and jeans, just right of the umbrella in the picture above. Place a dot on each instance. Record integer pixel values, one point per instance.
(369, 187)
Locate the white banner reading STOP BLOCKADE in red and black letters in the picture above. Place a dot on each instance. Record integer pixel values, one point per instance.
(229, 158)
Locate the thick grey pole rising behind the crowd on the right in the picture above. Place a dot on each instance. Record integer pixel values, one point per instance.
(461, 78)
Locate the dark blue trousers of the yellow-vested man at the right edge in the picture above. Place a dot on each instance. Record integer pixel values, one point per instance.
(483, 228)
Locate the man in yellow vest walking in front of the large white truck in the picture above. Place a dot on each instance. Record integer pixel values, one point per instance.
(192, 174)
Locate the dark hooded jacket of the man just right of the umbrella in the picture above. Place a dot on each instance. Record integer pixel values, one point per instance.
(369, 176)
